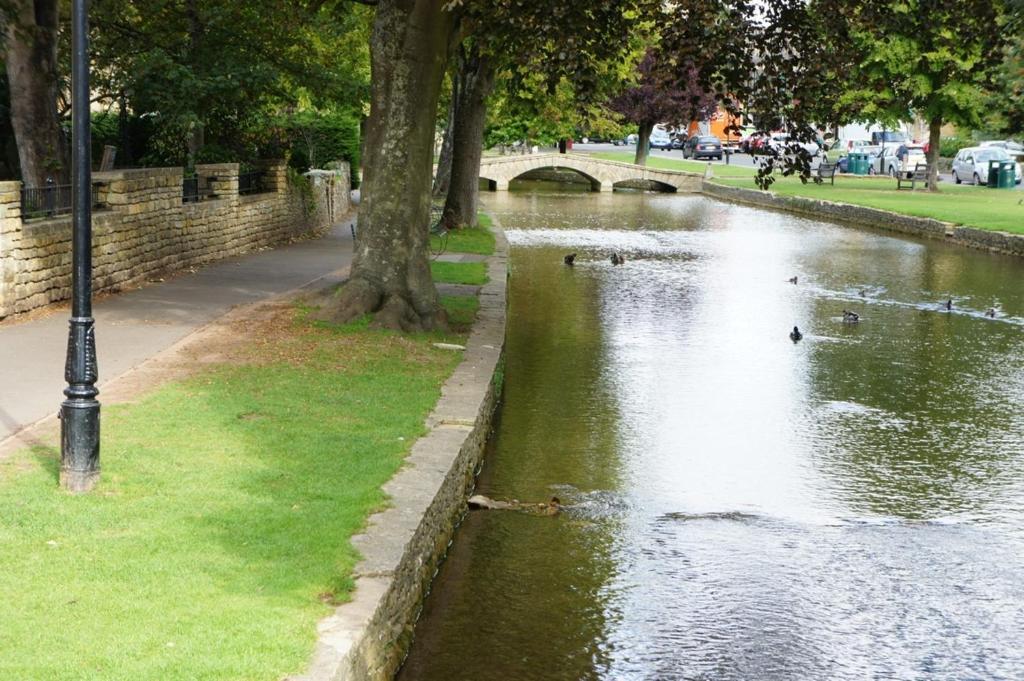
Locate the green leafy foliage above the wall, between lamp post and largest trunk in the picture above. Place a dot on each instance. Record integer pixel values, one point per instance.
(215, 75)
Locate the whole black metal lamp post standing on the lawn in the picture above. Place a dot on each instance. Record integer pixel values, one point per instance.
(80, 412)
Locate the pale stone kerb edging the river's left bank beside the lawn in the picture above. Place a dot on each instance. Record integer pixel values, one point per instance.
(368, 639)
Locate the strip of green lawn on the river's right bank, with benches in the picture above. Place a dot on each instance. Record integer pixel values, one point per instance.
(977, 207)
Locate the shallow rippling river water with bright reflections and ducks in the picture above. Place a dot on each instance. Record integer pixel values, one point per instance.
(744, 507)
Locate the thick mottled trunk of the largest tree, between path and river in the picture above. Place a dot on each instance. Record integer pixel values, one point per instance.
(391, 271)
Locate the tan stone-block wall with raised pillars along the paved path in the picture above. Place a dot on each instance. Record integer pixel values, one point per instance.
(145, 230)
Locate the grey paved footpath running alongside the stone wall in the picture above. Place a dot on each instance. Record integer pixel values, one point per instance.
(135, 326)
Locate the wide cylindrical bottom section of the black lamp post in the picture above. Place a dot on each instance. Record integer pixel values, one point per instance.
(79, 445)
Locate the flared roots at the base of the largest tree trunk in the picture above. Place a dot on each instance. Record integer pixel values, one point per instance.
(391, 311)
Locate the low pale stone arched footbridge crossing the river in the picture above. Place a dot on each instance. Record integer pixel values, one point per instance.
(604, 176)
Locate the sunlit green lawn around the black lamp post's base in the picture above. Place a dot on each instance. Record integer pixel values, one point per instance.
(219, 535)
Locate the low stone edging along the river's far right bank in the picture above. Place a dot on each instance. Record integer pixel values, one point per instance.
(999, 242)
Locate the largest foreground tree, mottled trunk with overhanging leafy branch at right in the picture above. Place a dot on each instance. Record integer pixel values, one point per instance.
(410, 48)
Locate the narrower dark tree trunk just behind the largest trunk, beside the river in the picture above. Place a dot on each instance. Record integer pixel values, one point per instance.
(477, 74)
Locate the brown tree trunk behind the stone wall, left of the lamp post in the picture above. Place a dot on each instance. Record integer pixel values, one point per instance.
(32, 71)
